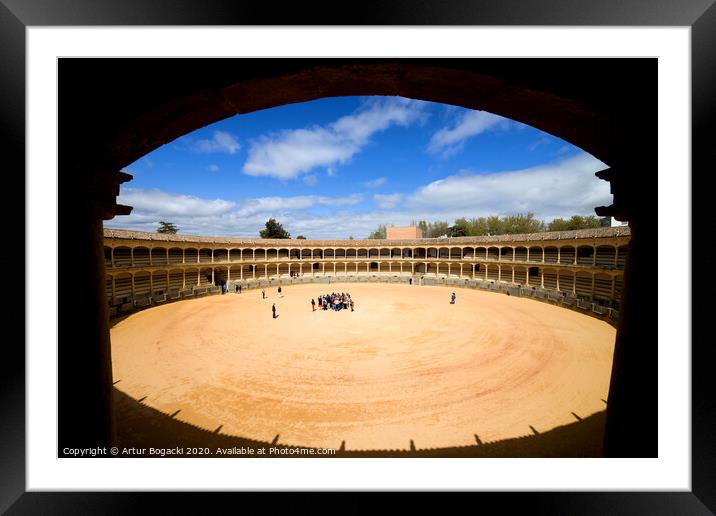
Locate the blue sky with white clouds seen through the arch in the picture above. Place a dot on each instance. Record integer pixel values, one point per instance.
(339, 167)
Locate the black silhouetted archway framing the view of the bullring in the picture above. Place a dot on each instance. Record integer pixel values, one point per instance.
(113, 111)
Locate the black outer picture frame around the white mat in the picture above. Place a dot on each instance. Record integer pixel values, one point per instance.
(700, 15)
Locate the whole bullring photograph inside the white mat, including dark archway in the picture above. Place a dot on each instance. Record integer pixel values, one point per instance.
(360, 258)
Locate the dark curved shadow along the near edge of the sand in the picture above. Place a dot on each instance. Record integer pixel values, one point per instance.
(141, 426)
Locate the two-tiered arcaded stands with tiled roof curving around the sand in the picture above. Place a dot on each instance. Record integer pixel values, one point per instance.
(580, 269)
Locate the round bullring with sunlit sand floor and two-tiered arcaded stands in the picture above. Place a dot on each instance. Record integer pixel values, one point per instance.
(521, 352)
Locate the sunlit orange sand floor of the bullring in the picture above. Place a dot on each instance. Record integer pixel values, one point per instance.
(406, 365)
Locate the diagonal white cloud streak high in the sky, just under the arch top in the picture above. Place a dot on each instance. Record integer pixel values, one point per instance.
(289, 153)
